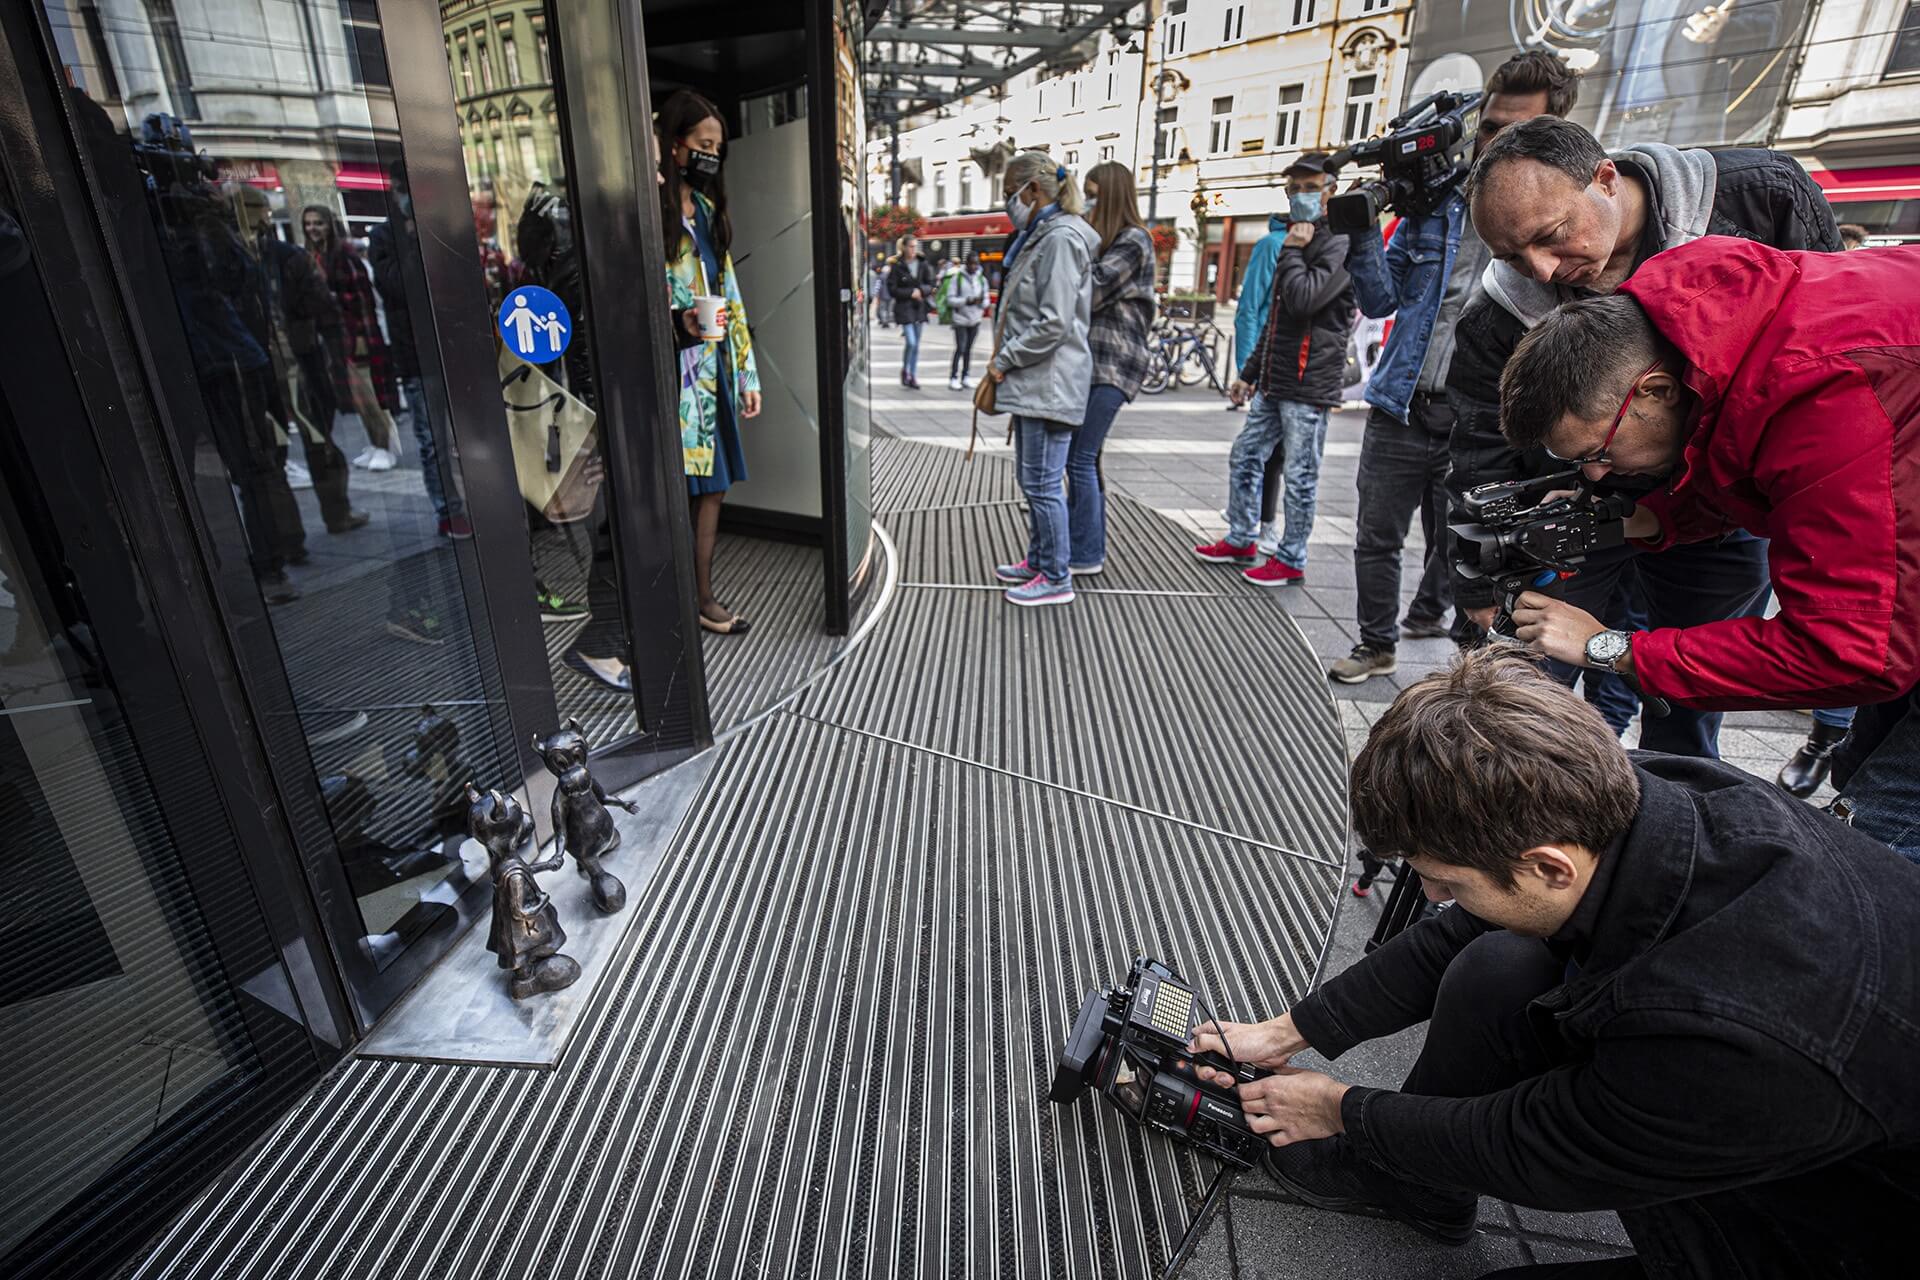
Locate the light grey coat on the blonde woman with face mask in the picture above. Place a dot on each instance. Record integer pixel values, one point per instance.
(1047, 310)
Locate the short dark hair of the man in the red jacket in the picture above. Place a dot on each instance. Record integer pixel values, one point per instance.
(1579, 360)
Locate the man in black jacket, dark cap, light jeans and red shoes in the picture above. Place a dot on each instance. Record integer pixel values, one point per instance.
(1291, 381)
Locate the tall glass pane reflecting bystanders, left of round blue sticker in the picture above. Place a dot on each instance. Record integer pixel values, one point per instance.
(283, 247)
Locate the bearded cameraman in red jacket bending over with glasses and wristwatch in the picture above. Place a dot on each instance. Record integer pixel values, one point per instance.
(1781, 394)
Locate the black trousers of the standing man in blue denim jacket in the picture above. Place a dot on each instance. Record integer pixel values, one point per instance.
(1403, 469)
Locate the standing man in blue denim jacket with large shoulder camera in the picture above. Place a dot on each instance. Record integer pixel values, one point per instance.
(1424, 279)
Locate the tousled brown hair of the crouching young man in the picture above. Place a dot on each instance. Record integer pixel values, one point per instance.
(1485, 761)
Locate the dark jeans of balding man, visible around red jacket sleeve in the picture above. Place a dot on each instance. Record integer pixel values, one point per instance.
(1683, 588)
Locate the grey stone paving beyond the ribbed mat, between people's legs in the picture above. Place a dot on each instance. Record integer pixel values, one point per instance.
(1170, 452)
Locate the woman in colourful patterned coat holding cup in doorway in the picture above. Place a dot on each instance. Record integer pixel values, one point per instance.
(719, 381)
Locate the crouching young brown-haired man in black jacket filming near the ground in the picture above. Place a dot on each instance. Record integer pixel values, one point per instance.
(1666, 989)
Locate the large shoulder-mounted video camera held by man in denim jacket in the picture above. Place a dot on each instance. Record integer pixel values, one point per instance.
(1424, 156)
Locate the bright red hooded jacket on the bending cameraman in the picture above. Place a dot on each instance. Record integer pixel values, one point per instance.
(1808, 369)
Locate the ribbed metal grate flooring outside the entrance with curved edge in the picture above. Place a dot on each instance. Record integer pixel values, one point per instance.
(828, 1035)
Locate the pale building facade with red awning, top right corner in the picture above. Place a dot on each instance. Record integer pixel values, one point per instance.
(1854, 114)
